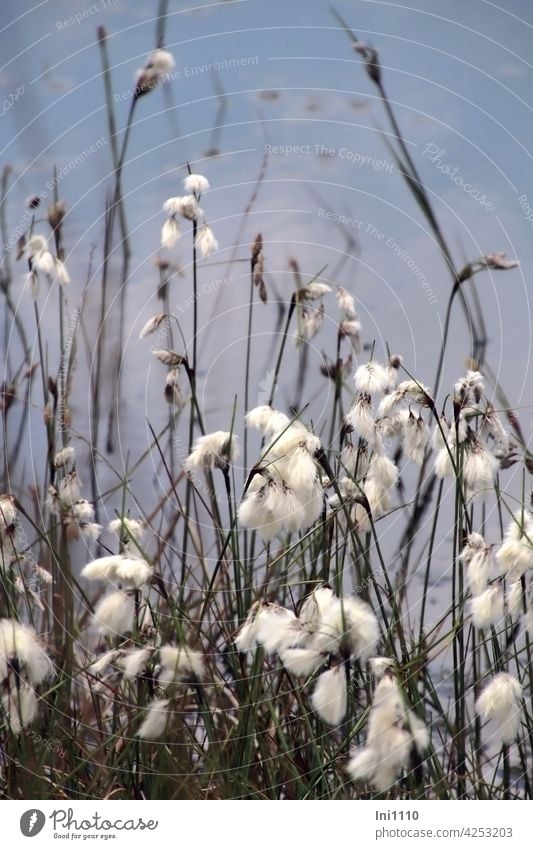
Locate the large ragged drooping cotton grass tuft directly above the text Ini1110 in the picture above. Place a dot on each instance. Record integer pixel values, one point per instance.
(394, 733)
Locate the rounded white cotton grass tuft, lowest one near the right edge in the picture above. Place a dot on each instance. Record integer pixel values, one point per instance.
(501, 702)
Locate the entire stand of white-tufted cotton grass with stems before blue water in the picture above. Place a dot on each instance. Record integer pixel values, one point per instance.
(255, 641)
